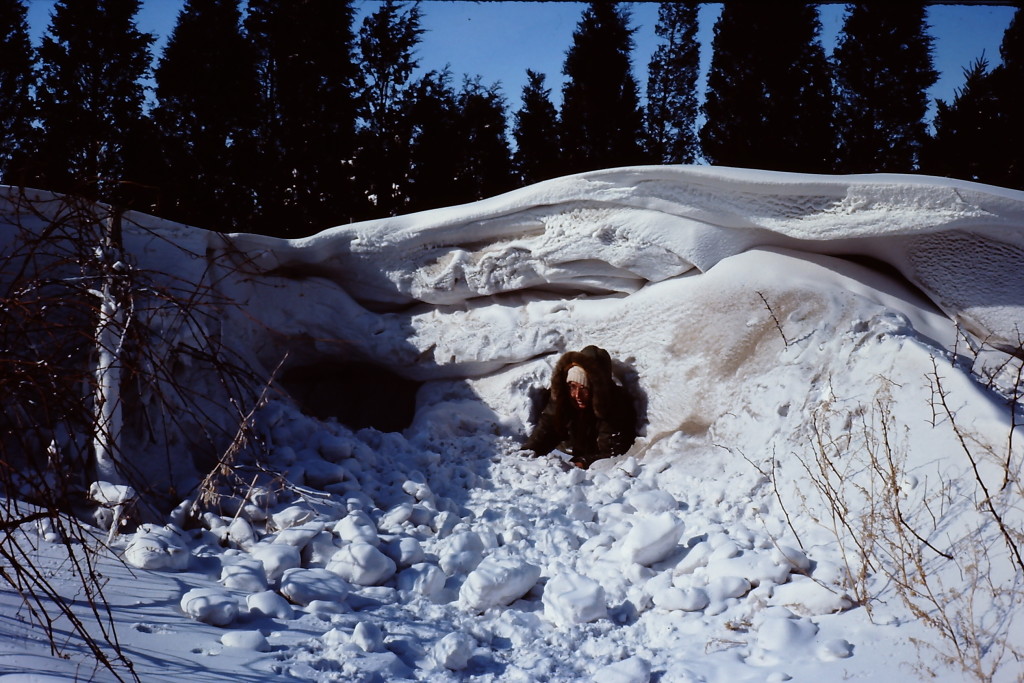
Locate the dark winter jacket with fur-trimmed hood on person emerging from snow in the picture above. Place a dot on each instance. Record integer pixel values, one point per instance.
(606, 429)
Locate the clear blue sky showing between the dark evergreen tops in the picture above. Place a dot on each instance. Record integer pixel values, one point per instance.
(500, 41)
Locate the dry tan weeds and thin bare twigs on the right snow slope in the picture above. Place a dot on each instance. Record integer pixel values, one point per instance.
(933, 544)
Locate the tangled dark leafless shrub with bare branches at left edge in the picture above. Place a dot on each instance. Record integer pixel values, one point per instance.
(99, 360)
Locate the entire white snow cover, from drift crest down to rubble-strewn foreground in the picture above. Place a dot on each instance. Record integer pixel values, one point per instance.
(781, 333)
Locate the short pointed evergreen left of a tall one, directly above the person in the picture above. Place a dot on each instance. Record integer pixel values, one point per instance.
(538, 155)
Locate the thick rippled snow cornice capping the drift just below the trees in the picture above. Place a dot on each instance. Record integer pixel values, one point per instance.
(612, 233)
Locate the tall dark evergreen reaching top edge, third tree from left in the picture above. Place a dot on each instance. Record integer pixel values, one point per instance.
(206, 106)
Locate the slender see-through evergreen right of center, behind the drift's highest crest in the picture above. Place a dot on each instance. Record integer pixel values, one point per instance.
(672, 86)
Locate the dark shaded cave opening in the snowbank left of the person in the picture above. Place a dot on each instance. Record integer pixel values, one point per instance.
(357, 395)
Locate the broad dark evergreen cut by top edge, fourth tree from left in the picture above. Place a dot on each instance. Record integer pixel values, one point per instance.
(308, 78)
